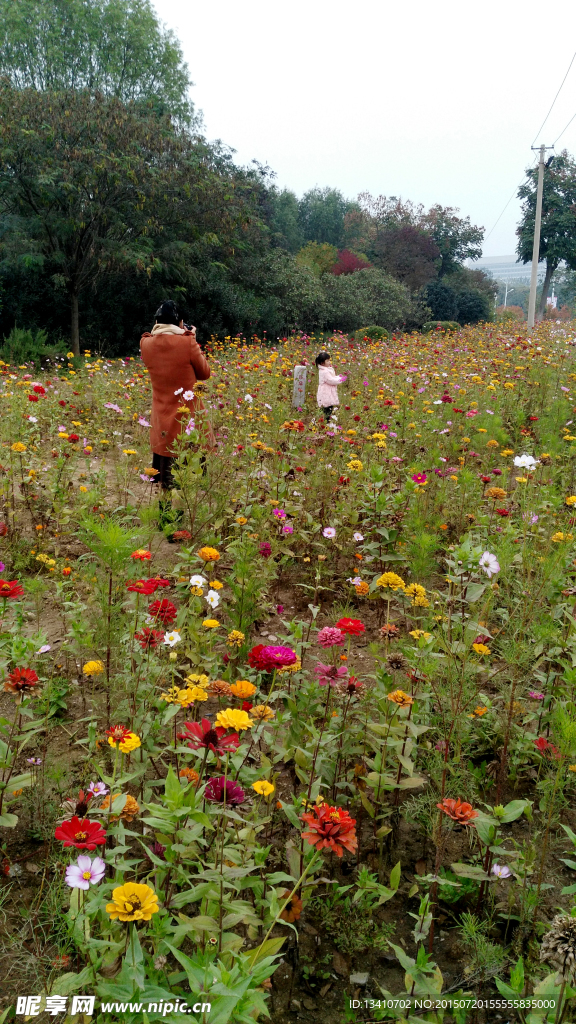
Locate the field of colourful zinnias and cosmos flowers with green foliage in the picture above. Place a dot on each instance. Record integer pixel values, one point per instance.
(302, 732)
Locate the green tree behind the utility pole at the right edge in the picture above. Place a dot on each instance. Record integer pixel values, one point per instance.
(558, 233)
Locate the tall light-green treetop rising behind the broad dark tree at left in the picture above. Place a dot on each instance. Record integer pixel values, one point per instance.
(117, 48)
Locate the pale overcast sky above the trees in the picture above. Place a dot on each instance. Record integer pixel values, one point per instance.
(438, 103)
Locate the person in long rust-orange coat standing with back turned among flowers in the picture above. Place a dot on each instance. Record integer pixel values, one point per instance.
(176, 363)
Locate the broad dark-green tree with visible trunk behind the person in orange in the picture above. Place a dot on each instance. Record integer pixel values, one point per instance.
(93, 186)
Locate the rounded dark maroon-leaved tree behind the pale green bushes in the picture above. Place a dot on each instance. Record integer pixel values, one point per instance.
(408, 253)
